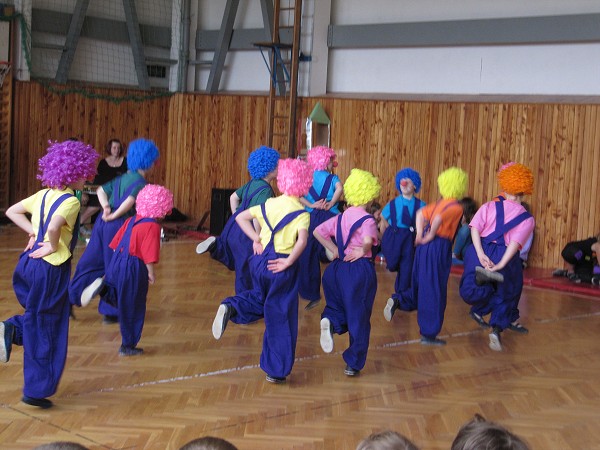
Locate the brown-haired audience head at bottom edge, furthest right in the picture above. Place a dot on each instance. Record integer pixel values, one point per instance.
(481, 434)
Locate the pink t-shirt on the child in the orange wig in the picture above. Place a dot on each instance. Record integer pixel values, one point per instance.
(485, 221)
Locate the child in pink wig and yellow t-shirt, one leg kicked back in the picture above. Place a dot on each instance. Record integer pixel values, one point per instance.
(274, 296)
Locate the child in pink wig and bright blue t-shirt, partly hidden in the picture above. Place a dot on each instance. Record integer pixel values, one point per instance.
(322, 204)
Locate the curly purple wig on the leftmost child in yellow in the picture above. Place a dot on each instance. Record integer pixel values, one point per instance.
(66, 163)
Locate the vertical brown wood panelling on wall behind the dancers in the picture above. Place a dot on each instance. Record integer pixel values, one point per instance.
(205, 141)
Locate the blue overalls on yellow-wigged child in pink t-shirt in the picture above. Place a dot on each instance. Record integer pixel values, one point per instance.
(350, 289)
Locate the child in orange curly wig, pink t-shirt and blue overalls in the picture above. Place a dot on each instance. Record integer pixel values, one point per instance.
(493, 277)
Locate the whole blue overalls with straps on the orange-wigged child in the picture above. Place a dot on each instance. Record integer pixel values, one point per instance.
(500, 299)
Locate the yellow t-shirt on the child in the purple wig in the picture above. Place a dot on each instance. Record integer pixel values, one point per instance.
(68, 210)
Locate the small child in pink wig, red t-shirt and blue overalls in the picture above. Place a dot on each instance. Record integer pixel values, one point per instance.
(136, 250)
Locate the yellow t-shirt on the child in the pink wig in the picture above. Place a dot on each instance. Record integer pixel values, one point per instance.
(277, 208)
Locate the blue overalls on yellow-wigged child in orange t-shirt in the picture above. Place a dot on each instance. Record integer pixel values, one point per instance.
(429, 286)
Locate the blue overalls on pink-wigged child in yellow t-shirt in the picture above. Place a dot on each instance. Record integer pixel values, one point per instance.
(274, 296)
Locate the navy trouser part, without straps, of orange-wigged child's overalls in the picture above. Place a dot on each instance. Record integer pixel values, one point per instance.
(499, 299)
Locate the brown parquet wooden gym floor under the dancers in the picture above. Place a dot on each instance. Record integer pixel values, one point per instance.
(544, 386)
